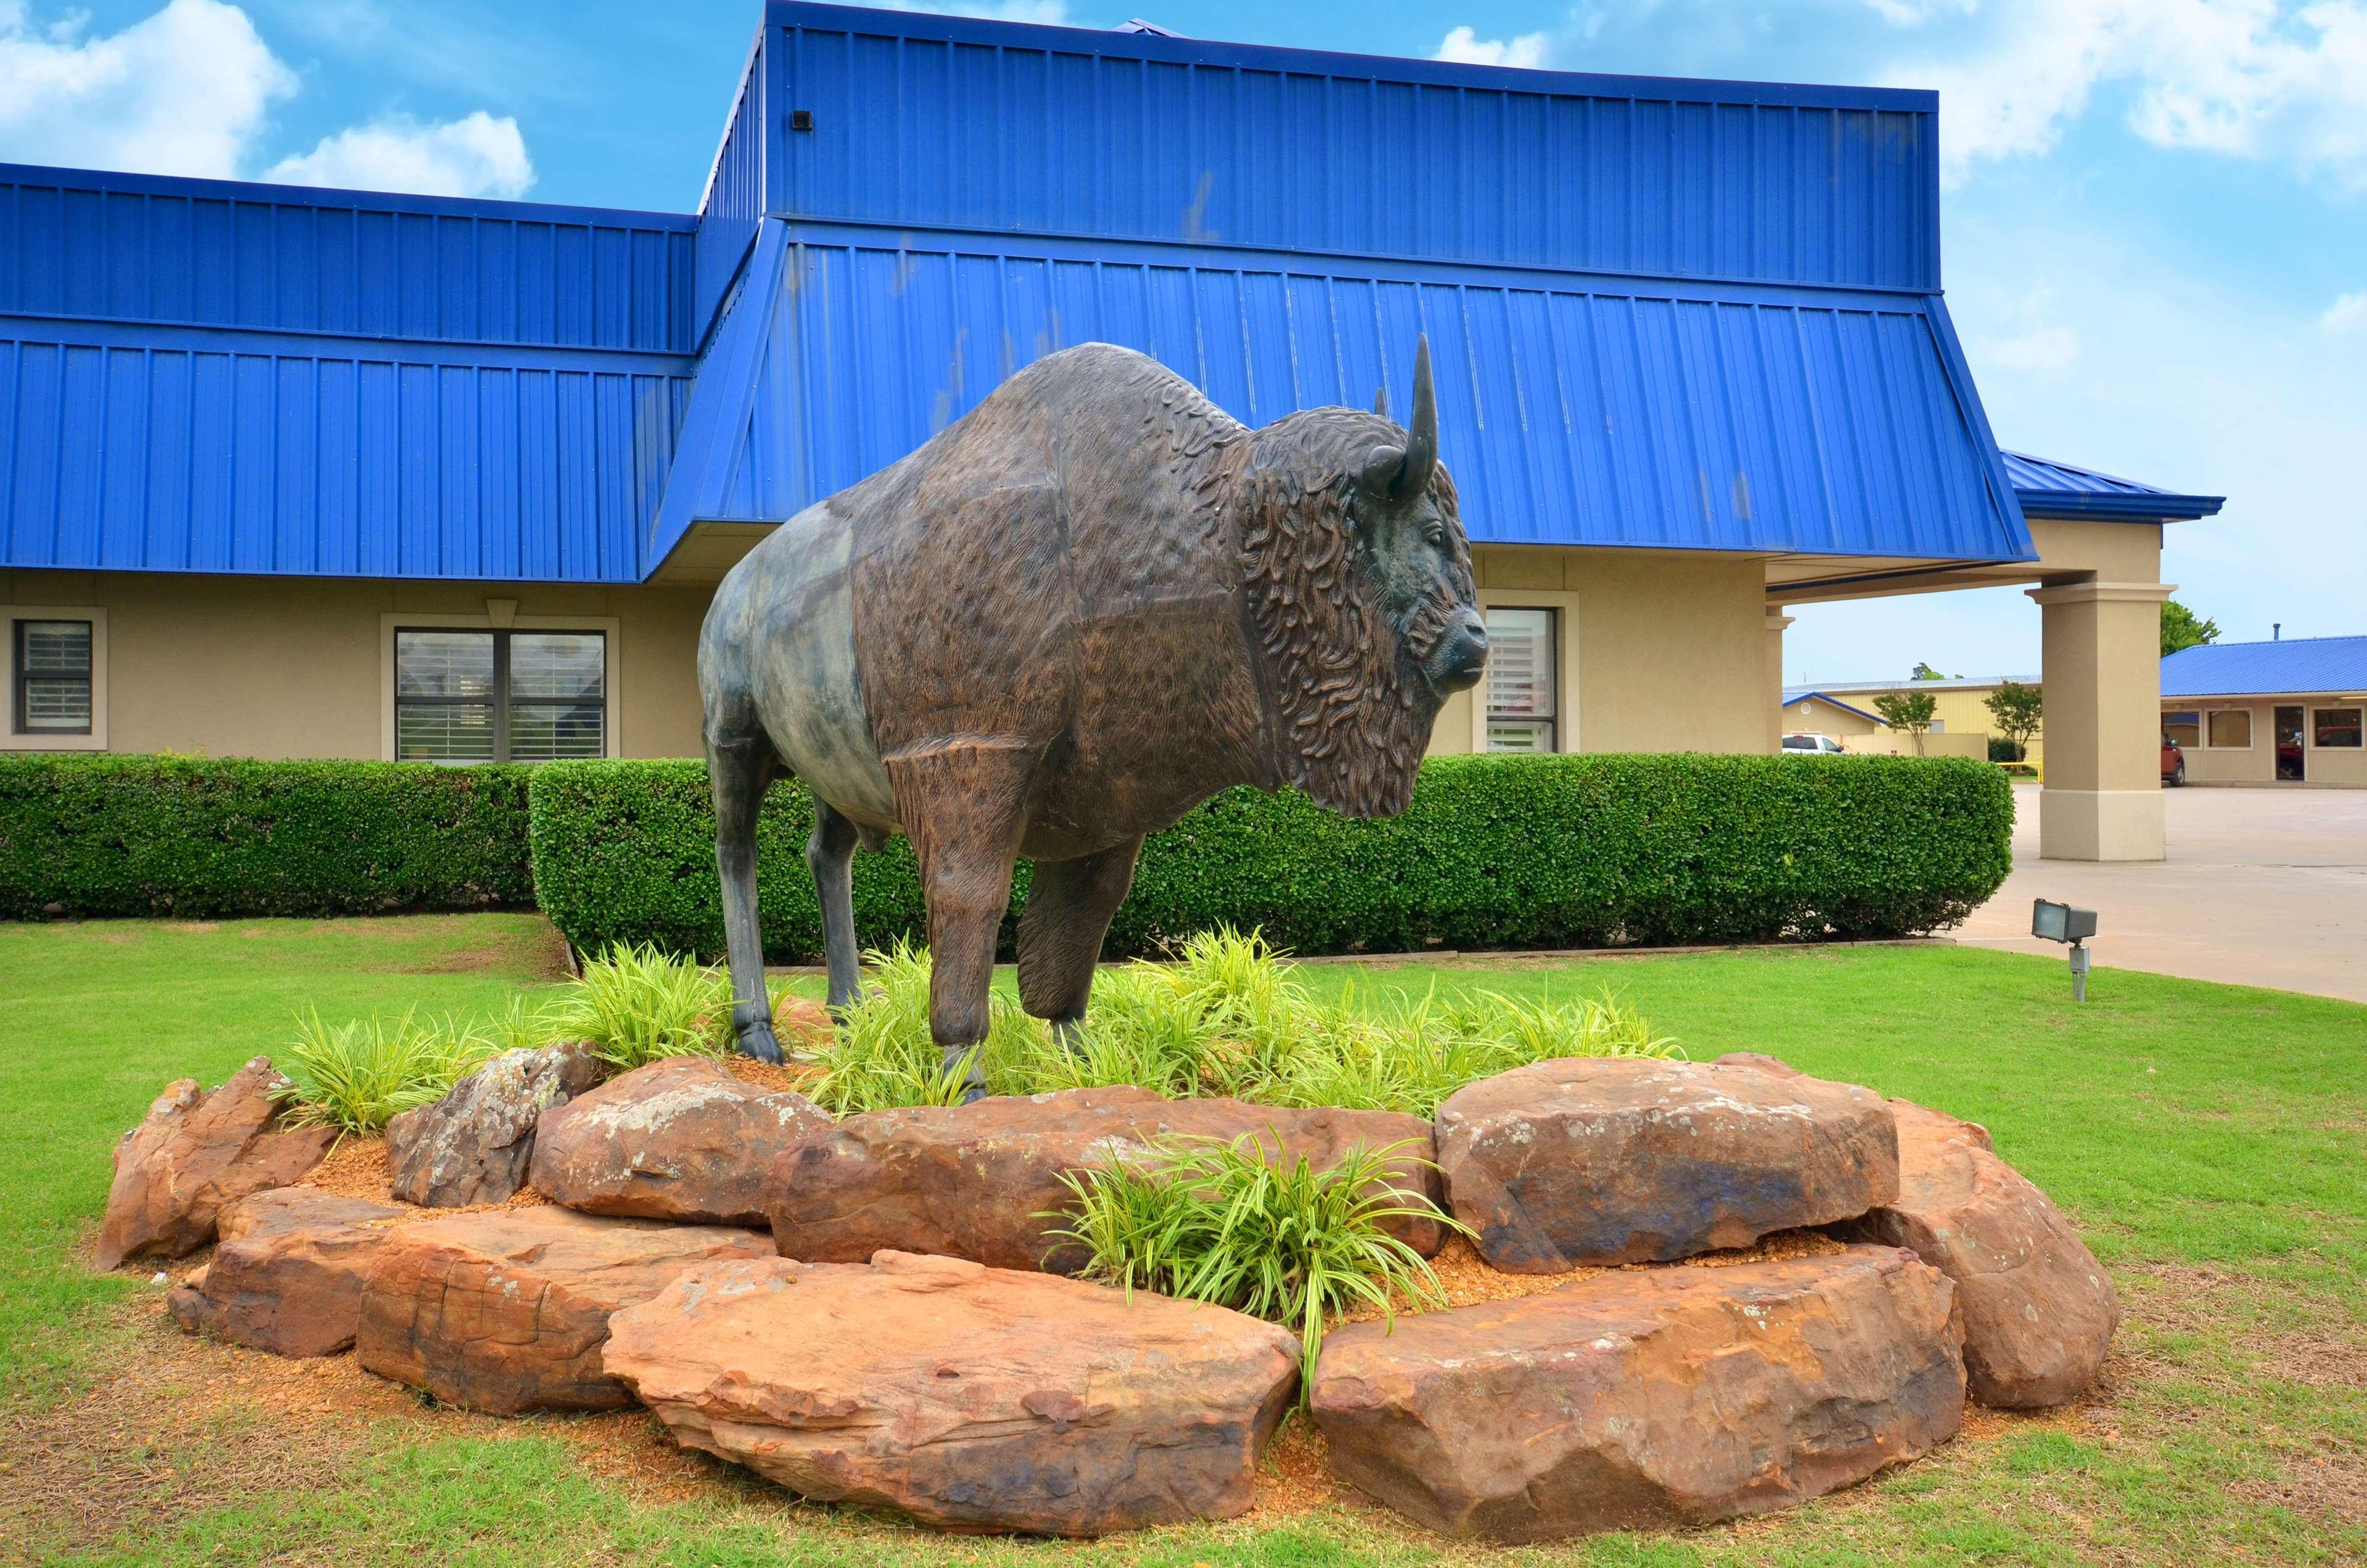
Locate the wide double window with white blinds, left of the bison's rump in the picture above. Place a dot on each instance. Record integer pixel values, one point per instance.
(501, 698)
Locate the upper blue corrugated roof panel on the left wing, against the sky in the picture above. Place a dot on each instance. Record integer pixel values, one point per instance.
(91, 245)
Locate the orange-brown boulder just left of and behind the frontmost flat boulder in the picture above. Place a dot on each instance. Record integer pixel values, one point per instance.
(505, 1311)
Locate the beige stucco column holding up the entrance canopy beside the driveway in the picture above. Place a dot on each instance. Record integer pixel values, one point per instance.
(2103, 683)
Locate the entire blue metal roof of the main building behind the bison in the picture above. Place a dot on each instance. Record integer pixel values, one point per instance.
(1665, 314)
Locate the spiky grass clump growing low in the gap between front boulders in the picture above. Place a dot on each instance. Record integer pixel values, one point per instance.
(1227, 1223)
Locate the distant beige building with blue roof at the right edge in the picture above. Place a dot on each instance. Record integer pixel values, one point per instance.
(2269, 712)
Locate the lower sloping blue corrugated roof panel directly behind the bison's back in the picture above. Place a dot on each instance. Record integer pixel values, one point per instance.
(1573, 411)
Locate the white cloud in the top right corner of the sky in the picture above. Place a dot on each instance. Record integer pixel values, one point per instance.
(2252, 79)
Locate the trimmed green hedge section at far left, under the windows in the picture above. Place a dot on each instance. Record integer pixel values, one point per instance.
(143, 835)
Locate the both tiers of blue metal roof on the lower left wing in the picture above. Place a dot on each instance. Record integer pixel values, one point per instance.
(271, 380)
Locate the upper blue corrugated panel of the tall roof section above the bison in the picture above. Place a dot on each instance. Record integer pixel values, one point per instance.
(953, 122)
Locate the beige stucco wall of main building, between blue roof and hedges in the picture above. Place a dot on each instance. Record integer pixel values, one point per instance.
(1658, 650)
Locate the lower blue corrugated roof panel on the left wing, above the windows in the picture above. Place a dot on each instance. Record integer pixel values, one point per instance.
(169, 449)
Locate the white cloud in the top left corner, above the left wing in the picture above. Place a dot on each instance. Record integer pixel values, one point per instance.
(179, 94)
